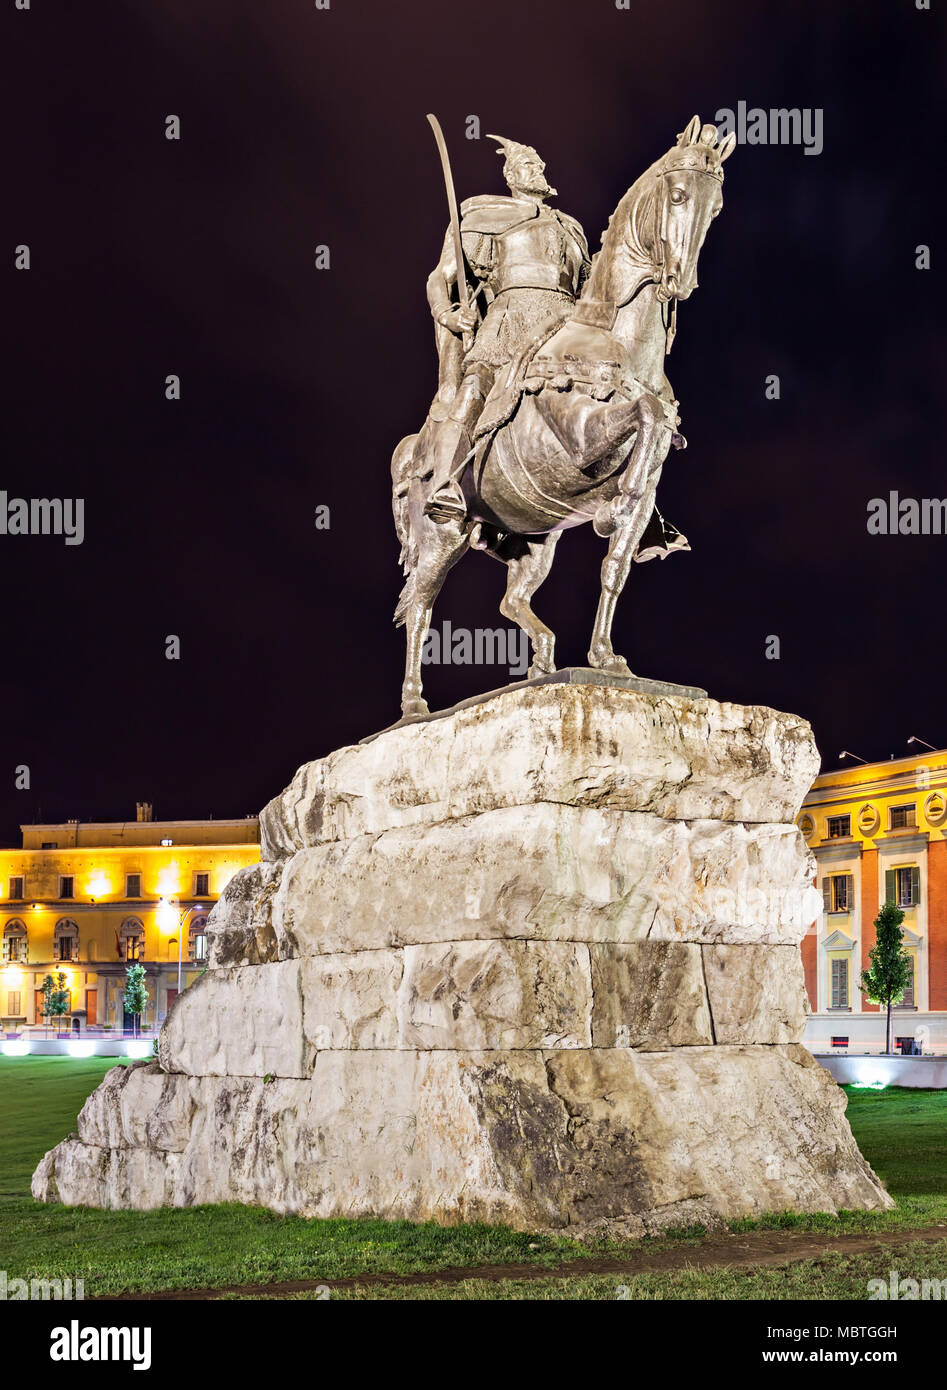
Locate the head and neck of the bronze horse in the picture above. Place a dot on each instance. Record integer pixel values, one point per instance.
(658, 229)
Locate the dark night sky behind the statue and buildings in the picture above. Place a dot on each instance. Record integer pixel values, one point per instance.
(305, 127)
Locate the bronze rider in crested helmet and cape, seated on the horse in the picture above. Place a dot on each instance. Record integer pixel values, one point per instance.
(531, 263)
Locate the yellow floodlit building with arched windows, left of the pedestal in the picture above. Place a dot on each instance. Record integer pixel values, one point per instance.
(91, 899)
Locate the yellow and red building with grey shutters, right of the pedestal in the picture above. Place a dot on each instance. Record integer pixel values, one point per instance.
(878, 833)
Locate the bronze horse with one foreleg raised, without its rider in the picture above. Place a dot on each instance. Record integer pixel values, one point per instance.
(579, 427)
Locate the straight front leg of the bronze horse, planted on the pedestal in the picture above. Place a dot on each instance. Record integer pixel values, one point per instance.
(632, 512)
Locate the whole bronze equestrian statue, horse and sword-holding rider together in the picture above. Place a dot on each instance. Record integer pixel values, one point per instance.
(553, 405)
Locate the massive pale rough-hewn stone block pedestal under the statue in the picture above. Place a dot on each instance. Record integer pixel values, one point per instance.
(533, 963)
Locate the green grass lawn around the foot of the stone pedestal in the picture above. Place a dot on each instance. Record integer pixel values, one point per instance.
(903, 1135)
